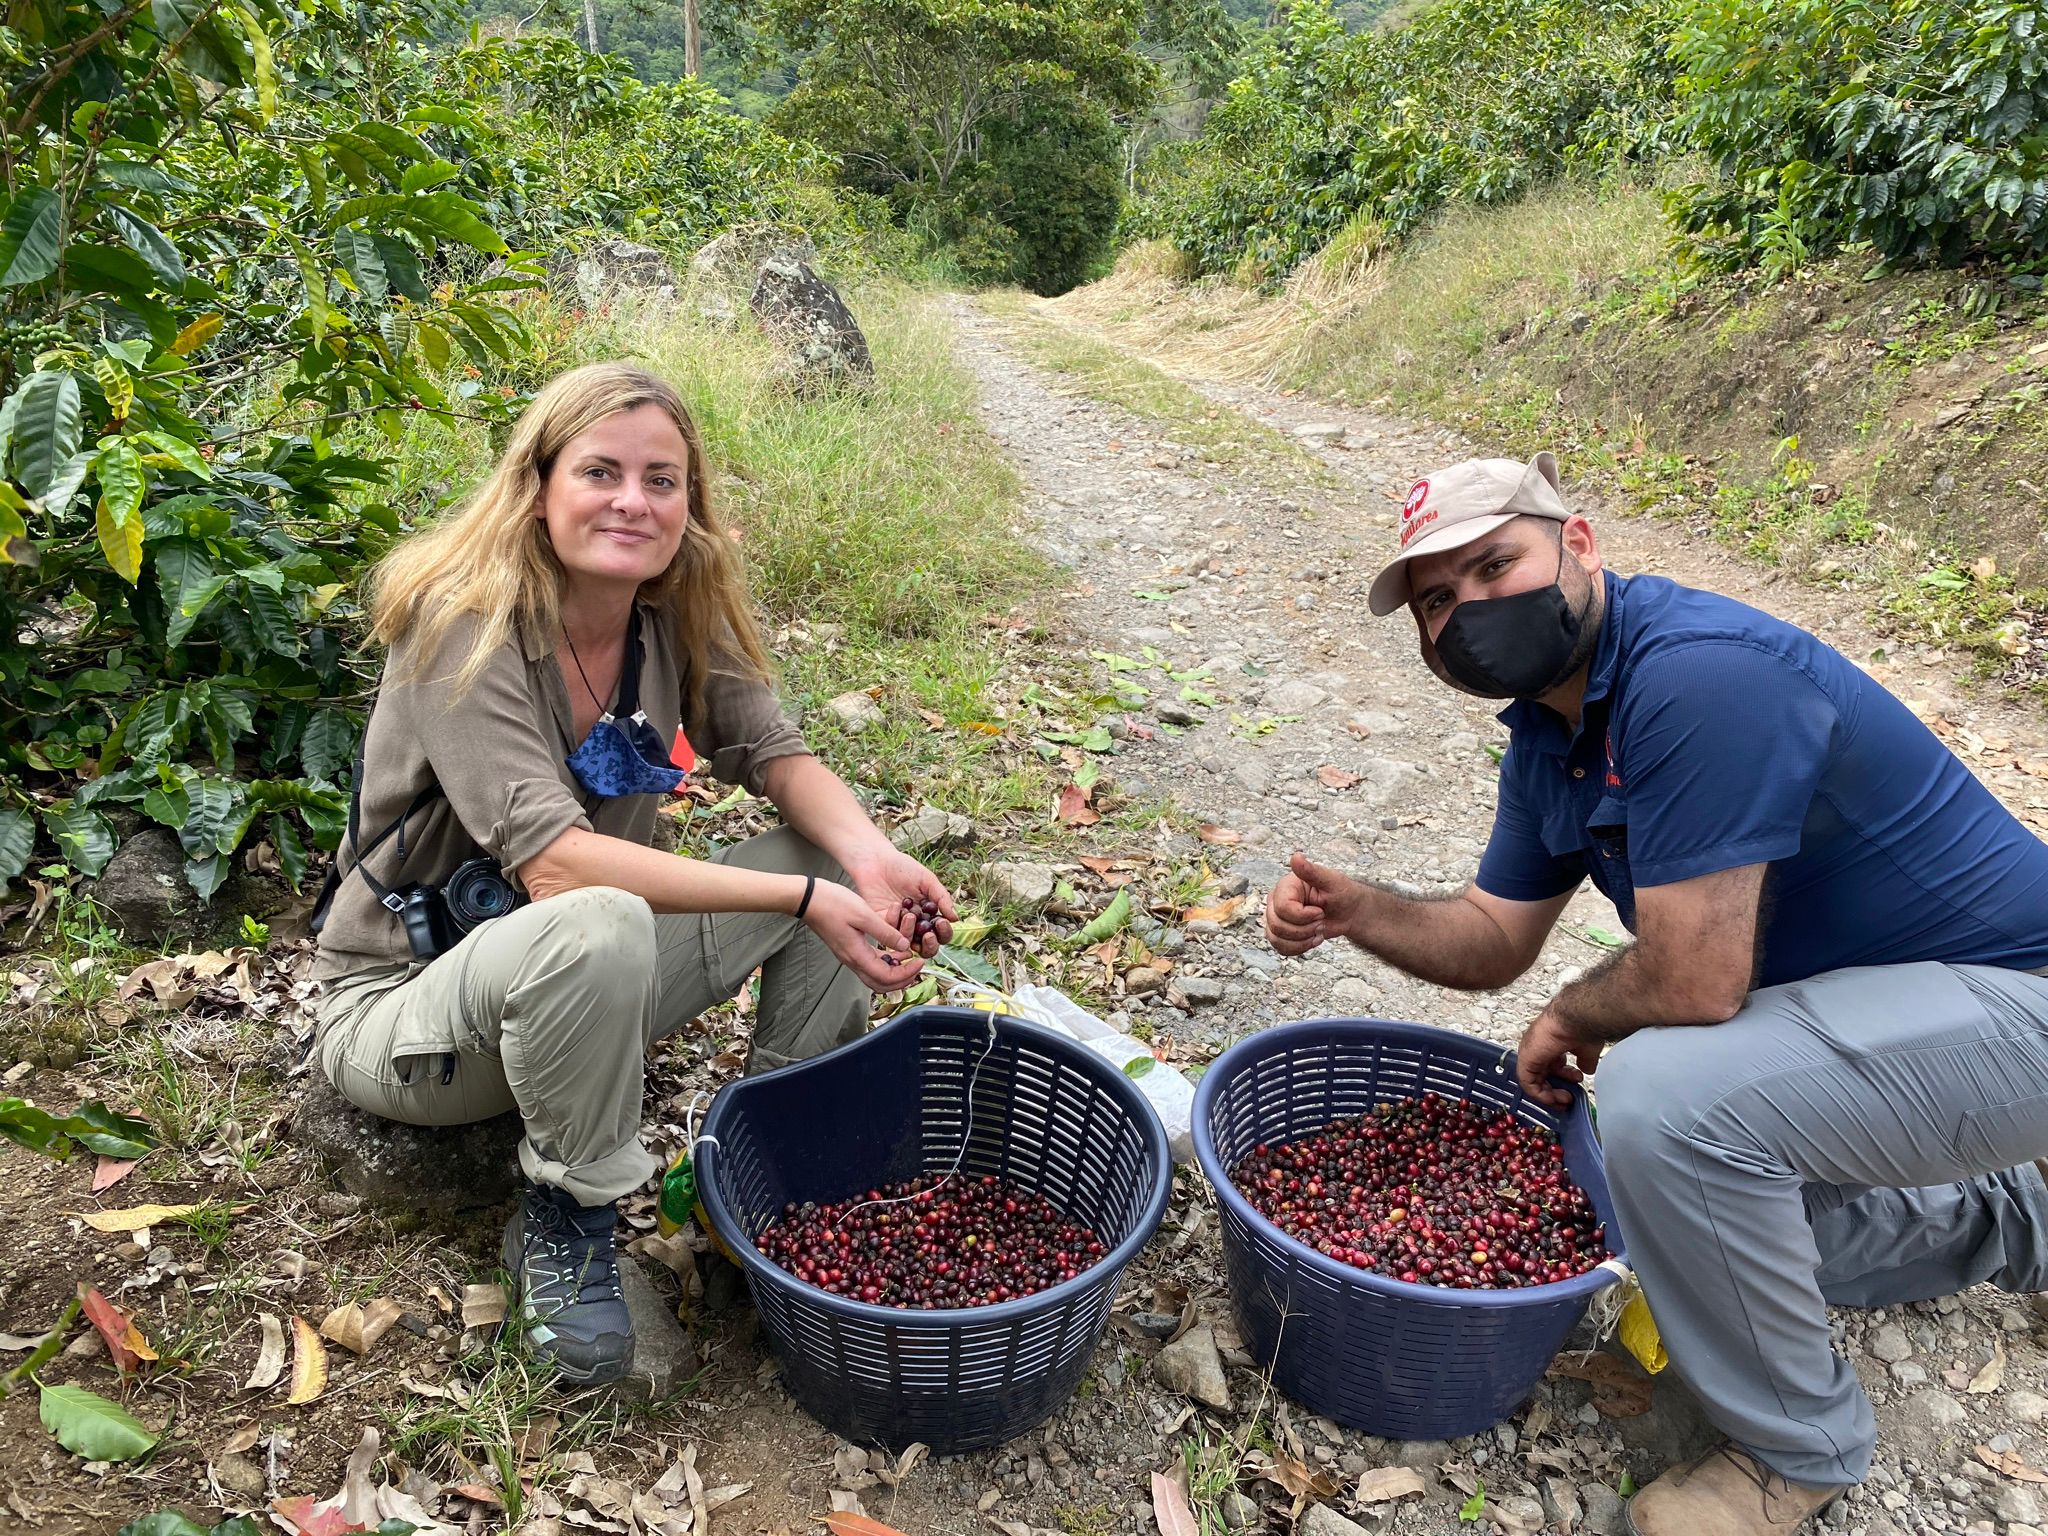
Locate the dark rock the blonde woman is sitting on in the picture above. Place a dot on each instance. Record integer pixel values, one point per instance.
(437, 1170)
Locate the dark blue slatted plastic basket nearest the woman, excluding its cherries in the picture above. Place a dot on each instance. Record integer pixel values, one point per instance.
(1048, 1115)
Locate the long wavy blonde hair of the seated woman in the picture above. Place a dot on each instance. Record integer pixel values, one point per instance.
(495, 560)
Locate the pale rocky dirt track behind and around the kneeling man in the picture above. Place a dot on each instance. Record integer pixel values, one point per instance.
(1312, 726)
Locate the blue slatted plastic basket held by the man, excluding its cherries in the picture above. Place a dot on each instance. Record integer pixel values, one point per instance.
(1408, 1363)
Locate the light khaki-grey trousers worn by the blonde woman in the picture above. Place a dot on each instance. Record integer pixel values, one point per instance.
(552, 1009)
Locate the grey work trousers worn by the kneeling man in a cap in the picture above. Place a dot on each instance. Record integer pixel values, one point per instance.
(1863, 1138)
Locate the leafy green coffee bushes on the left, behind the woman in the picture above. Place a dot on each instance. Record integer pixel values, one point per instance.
(245, 247)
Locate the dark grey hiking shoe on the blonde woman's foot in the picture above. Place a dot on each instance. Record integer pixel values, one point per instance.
(564, 1269)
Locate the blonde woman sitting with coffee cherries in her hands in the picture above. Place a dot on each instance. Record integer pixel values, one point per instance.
(499, 931)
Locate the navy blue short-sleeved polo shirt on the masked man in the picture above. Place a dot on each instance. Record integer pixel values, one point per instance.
(1717, 736)
